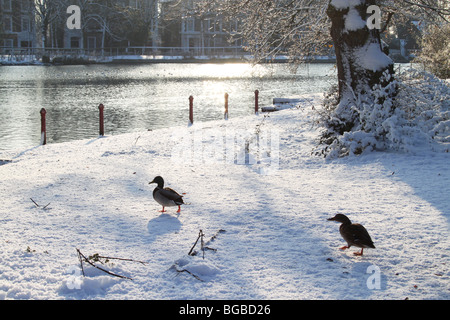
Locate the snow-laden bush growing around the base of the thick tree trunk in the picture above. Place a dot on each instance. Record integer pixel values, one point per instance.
(404, 114)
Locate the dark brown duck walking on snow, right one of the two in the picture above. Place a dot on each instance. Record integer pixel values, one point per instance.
(354, 233)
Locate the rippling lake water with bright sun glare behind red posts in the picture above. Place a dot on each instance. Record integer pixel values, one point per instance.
(138, 97)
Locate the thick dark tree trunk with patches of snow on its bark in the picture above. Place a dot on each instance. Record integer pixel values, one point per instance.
(360, 59)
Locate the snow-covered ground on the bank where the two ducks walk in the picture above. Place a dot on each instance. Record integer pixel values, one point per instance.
(253, 186)
